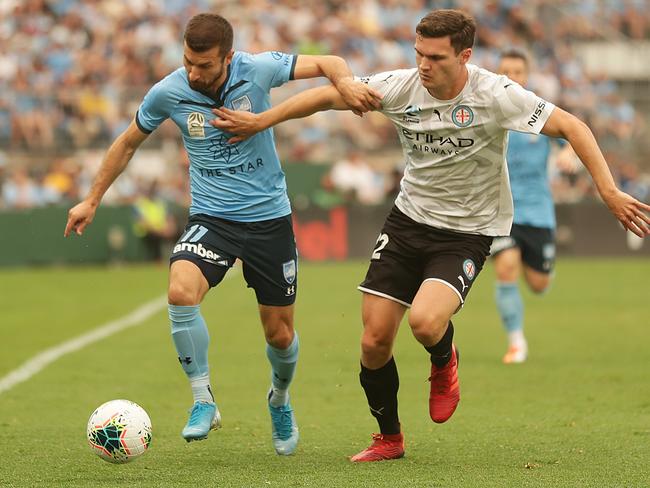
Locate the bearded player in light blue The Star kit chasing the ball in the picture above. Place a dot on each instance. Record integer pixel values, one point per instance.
(239, 204)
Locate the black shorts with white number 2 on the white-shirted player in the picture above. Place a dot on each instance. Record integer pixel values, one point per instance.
(408, 253)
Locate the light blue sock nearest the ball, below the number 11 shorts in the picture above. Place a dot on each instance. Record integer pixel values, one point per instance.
(191, 338)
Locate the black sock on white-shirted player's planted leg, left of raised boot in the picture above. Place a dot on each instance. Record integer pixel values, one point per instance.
(380, 386)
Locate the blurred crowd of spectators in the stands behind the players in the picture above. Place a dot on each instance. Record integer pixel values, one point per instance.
(72, 73)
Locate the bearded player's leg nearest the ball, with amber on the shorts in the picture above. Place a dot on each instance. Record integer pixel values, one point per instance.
(196, 265)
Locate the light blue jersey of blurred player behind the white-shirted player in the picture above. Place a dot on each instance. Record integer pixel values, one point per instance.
(527, 158)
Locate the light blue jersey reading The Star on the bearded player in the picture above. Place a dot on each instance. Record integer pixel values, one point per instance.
(242, 182)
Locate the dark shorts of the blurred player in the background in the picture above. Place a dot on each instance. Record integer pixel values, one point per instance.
(537, 246)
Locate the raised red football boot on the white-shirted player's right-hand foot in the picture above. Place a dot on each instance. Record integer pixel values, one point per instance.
(445, 391)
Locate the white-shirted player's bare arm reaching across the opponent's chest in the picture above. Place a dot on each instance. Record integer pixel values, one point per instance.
(304, 104)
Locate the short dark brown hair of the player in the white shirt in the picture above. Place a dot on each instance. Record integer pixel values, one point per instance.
(458, 25)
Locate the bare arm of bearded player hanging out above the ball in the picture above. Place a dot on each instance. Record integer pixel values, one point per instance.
(116, 159)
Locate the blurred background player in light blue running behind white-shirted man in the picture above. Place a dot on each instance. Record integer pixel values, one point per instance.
(530, 248)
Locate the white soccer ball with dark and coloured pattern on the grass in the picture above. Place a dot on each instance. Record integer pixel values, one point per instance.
(119, 431)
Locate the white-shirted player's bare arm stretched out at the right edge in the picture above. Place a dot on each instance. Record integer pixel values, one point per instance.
(629, 211)
